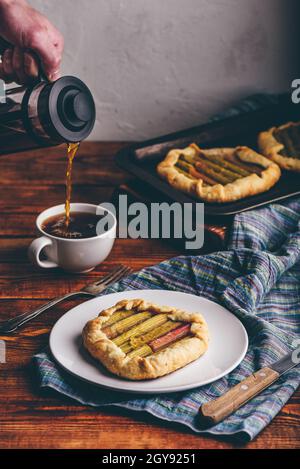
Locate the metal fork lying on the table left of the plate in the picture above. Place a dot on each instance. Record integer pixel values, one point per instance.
(91, 290)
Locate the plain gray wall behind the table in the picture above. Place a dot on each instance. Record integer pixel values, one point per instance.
(155, 66)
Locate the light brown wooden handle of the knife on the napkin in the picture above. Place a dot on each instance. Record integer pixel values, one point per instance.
(215, 411)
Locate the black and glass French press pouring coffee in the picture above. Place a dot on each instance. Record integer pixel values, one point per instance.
(45, 114)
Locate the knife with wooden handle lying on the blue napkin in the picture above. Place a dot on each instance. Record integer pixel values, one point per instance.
(217, 410)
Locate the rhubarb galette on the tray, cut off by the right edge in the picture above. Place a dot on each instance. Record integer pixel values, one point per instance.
(282, 145)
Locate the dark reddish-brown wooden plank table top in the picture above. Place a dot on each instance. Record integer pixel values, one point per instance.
(30, 183)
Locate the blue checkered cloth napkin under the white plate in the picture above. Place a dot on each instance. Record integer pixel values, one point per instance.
(257, 278)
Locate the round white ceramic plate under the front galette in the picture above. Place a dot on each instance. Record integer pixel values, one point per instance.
(227, 348)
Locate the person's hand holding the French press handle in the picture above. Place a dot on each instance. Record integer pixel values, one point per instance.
(28, 31)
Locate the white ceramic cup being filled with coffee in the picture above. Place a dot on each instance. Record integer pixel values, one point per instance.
(73, 255)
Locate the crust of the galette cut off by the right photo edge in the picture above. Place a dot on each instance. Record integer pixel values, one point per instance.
(271, 148)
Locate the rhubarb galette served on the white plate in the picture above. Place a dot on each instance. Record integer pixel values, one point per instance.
(141, 340)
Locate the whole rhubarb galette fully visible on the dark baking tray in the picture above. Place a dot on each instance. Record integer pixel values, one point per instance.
(219, 174)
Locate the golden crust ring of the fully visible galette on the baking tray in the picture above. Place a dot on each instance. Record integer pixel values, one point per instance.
(238, 189)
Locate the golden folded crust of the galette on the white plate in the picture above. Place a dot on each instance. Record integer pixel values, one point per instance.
(157, 364)
